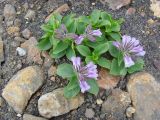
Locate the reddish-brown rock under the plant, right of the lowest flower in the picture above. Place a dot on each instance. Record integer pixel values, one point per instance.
(107, 81)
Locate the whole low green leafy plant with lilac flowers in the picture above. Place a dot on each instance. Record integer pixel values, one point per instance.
(88, 42)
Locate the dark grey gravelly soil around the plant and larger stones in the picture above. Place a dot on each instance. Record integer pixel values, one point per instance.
(134, 25)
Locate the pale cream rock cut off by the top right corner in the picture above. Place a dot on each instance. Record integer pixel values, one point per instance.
(155, 7)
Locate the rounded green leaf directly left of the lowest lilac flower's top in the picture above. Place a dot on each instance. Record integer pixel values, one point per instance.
(65, 70)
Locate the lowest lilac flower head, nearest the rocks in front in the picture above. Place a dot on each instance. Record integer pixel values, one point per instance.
(84, 73)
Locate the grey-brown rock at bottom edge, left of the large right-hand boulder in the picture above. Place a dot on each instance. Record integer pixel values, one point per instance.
(116, 104)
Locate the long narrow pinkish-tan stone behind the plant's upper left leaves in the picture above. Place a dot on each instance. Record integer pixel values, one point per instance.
(60, 9)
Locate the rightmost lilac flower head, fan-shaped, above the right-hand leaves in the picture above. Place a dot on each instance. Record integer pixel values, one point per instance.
(130, 47)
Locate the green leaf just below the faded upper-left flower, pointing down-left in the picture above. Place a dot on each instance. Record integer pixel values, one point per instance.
(61, 46)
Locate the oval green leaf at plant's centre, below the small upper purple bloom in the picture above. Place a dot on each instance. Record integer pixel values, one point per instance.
(83, 50)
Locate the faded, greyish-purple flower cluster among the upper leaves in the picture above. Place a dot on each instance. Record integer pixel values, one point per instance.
(62, 33)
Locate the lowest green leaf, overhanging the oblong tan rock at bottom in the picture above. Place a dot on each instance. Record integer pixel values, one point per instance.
(72, 89)
